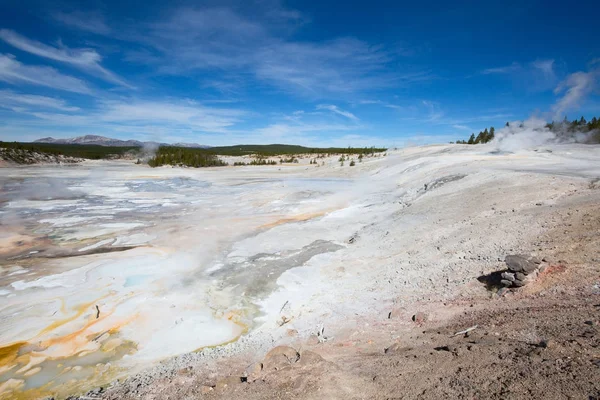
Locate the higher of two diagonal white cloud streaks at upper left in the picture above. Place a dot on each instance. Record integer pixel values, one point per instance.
(87, 60)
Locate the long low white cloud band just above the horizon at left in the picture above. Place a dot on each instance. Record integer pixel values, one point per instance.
(180, 121)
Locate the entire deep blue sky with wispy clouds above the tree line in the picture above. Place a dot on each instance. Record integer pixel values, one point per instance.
(316, 73)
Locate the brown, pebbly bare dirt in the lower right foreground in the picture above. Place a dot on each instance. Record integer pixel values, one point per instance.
(540, 341)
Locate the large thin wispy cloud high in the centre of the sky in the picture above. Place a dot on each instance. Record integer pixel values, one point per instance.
(219, 39)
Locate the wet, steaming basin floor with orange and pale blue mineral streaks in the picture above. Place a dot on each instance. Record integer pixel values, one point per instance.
(108, 268)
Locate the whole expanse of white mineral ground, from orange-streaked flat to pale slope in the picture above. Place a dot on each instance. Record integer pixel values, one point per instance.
(108, 268)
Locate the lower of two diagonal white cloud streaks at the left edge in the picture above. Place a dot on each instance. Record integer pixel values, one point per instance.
(14, 72)
